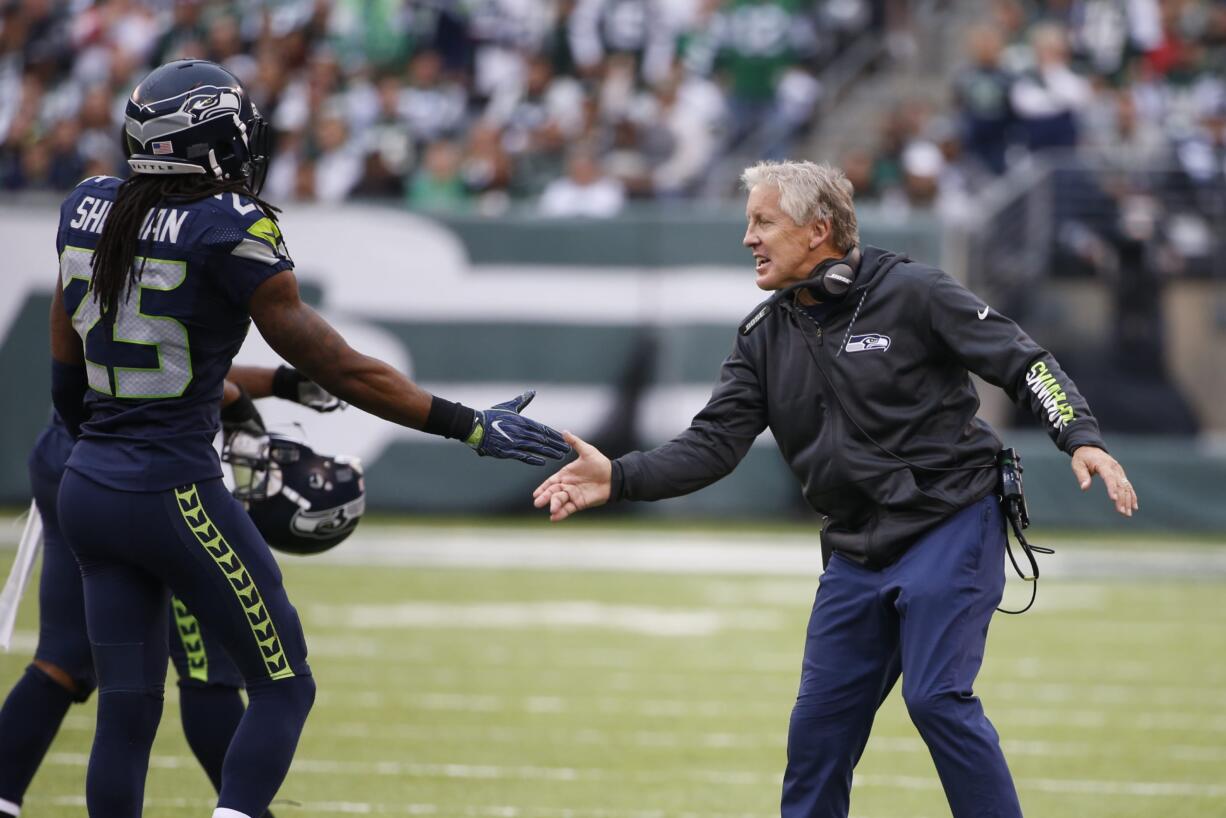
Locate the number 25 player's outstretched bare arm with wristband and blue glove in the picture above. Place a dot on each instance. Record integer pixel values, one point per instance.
(301, 335)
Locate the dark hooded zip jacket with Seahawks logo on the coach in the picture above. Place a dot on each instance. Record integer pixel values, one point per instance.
(874, 409)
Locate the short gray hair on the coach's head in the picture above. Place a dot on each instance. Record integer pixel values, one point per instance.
(810, 193)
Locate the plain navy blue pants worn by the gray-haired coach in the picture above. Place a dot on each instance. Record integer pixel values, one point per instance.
(927, 619)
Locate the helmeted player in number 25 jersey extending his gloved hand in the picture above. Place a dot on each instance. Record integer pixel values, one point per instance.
(160, 279)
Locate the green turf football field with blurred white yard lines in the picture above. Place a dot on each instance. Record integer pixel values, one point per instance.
(579, 691)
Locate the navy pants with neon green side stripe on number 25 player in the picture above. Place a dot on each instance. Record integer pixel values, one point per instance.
(197, 541)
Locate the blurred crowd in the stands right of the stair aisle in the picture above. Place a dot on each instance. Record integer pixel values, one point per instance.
(1137, 84)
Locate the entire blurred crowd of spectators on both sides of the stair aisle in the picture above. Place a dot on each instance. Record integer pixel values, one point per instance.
(577, 107)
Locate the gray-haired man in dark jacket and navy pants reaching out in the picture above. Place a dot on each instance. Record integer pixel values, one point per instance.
(860, 366)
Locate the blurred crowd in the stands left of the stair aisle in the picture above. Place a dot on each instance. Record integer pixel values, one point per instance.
(571, 106)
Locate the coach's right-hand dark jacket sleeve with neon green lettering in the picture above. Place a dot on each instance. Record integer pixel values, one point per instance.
(997, 350)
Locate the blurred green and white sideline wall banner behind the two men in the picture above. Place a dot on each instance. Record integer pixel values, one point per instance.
(617, 327)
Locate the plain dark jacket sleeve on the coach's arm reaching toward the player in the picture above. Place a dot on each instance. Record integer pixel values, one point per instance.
(710, 448)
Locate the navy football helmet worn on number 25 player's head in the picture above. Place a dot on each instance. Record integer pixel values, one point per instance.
(194, 117)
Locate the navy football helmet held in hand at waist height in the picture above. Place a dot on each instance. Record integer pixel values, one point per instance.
(303, 503)
